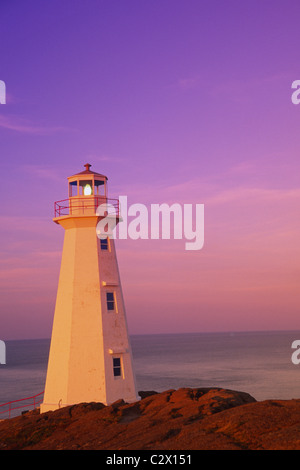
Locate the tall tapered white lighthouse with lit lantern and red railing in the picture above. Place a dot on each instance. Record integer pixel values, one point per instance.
(90, 357)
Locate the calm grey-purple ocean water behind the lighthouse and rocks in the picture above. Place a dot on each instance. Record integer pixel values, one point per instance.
(258, 363)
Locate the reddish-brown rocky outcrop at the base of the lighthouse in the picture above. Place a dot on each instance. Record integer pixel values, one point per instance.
(183, 419)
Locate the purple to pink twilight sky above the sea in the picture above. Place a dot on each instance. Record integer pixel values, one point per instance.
(176, 101)
